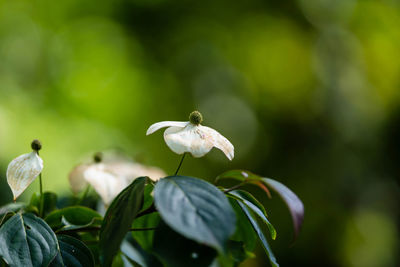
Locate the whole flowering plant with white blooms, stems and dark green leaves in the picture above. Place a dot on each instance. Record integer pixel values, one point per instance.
(145, 218)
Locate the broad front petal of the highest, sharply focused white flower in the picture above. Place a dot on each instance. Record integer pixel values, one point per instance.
(189, 139)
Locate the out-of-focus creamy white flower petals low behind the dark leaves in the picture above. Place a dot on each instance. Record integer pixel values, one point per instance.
(108, 179)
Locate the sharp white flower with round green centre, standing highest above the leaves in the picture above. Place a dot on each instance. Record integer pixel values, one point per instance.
(192, 137)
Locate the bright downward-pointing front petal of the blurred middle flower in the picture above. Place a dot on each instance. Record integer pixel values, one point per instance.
(106, 184)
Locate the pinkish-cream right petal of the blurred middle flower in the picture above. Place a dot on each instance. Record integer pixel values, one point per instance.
(131, 170)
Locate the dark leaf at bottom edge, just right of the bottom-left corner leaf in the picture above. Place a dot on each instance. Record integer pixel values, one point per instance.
(72, 253)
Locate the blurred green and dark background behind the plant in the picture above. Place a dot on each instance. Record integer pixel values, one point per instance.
(308, 91)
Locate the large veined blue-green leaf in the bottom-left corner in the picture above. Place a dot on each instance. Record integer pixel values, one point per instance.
(26, 240)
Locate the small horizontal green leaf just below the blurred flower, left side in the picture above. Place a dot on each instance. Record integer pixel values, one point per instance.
(73, 218)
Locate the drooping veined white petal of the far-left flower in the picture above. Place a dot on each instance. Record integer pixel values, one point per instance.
(22, 171)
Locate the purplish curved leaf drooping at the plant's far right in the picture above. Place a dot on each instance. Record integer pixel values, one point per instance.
(291, 200)
